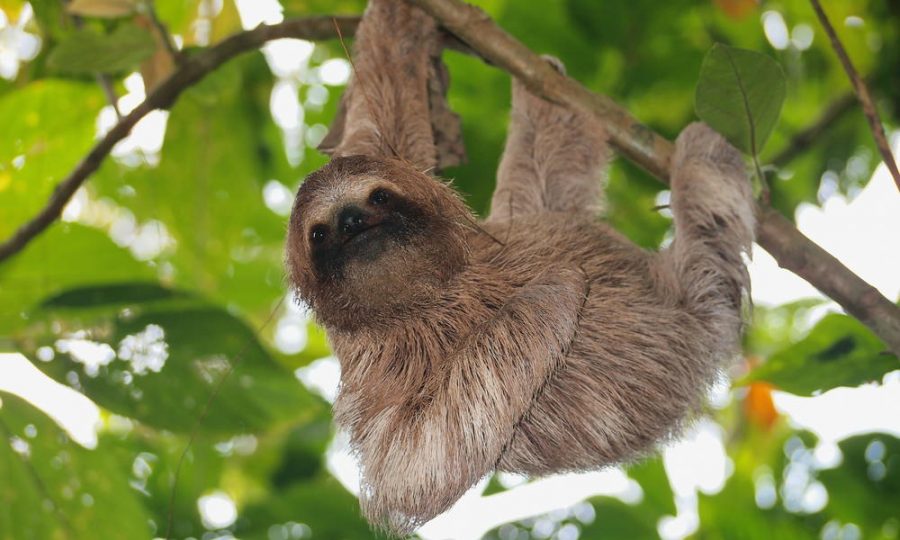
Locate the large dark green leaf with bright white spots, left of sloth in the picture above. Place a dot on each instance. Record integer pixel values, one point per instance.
(145, 352)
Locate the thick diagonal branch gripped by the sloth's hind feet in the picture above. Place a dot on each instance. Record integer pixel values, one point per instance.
(776, 234)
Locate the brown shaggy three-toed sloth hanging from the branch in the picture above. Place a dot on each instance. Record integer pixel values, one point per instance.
(535, 341)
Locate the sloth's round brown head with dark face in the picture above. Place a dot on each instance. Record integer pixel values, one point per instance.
(373, 239)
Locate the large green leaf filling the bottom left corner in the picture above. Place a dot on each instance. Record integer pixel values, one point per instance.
(53, 488)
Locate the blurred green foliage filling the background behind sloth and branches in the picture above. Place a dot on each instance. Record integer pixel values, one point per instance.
(166, 271)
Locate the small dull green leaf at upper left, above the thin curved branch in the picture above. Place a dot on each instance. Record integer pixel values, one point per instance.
(85, 51)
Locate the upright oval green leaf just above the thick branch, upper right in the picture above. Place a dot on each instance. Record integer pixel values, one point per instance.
(740, 94)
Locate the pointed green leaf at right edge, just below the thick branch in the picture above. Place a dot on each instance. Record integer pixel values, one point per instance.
(839, 351)
